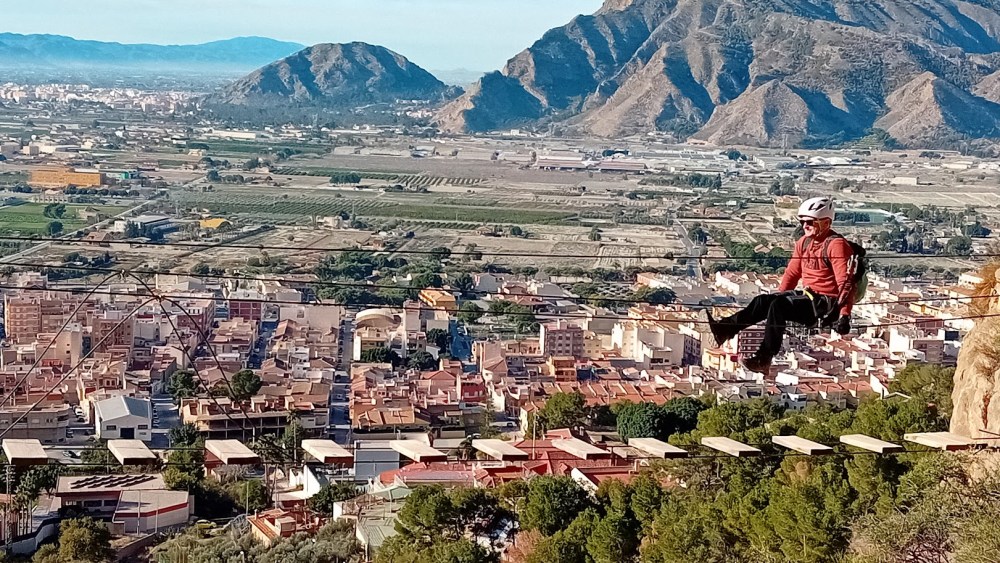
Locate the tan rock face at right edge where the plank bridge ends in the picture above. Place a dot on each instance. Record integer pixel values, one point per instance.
(977, 379)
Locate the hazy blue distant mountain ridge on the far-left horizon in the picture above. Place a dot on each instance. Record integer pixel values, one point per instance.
(55, 52)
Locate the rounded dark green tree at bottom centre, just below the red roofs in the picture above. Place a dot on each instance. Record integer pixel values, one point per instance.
(552, 503)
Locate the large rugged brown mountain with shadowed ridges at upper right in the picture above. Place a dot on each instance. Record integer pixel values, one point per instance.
(755, 72)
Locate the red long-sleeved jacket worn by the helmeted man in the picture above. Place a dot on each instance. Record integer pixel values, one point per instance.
(807, 265)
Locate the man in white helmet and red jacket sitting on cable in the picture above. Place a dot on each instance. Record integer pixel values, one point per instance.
(823, 261)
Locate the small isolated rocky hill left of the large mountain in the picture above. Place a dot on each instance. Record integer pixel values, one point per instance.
(335, 75)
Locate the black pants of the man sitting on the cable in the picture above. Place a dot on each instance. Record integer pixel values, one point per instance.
(778, 309)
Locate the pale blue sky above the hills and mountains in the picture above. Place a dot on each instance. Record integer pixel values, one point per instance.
(436, 34)
